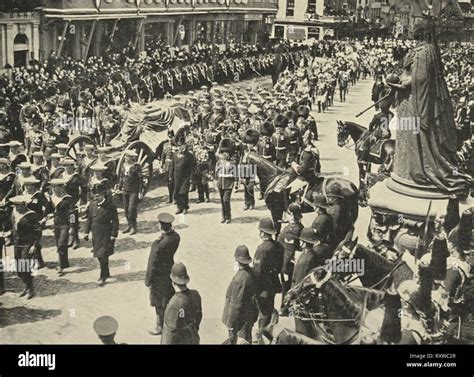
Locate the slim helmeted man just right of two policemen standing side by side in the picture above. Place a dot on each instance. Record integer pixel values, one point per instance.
(289, 238)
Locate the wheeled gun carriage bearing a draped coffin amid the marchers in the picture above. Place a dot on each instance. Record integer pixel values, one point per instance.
(145, 131)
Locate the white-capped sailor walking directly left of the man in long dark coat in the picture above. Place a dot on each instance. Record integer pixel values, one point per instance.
(63, 208)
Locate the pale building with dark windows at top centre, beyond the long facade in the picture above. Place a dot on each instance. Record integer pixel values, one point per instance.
(298, 20)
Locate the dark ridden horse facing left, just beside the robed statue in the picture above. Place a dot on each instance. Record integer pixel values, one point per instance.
(384, 149)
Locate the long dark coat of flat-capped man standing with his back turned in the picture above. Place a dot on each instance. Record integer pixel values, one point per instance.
(158, 272)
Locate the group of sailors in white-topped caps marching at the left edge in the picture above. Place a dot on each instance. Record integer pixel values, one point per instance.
(60, 188)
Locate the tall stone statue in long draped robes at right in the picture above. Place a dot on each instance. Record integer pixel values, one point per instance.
(425, 156)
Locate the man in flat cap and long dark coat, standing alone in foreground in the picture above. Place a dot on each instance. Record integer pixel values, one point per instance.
(158, 273)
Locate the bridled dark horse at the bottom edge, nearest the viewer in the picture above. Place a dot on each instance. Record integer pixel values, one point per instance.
(342, 314)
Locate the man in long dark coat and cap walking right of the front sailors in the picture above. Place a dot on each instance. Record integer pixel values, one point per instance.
(103, 222)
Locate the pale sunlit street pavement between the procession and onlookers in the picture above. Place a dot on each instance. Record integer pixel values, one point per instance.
(65, 308)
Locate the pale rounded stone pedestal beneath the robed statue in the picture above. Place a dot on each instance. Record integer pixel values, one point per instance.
(396, 197)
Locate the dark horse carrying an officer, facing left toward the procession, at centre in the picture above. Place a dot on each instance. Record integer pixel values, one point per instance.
(341, 193)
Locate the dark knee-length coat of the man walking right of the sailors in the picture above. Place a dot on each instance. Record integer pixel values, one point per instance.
(102, 220)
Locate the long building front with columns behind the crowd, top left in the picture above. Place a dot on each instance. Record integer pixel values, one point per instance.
(79, 27)
